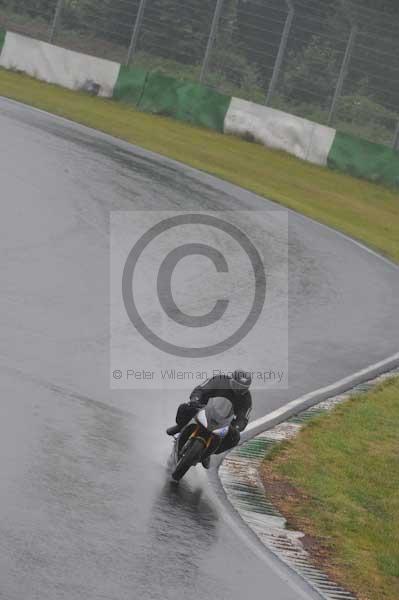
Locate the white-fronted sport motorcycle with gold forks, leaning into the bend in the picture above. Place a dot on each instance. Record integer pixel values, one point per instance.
(202, 436)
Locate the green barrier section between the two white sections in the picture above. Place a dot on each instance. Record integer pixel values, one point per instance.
(185, 101)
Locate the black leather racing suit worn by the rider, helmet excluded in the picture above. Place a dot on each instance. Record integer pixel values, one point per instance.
(218, 386)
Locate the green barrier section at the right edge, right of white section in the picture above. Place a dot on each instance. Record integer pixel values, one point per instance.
(364, 159)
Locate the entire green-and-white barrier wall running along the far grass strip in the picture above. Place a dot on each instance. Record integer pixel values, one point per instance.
(157, 93)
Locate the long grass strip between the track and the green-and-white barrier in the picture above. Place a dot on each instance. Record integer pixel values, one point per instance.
(365, 211)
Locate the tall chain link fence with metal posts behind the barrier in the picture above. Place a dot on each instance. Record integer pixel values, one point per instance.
(332, 61)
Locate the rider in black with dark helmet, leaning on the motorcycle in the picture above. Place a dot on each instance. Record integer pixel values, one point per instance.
(236, 389)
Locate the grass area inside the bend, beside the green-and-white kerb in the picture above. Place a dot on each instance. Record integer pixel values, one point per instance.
(346, 467)
